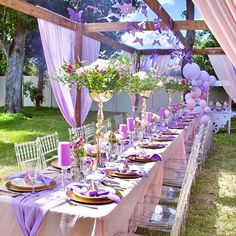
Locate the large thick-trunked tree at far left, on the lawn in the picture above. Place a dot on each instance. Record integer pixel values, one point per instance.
(13, 31)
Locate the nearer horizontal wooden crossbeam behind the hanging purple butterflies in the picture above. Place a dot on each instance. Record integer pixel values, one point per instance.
(121, 26)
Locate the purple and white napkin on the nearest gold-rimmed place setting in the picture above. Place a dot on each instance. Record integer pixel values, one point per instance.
(80, 189)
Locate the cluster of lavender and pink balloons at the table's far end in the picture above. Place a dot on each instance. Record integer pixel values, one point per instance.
(201, 82)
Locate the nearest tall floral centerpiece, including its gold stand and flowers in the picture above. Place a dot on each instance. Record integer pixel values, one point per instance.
(102, 77)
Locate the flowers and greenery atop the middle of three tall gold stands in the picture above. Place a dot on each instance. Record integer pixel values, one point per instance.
(138, 82)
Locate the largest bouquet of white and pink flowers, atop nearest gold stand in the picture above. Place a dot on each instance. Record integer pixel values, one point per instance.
(102, 75)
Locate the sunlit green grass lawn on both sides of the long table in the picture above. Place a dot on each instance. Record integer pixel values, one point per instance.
(213, 199)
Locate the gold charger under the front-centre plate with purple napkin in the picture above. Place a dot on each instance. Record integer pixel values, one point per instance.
(85, 199)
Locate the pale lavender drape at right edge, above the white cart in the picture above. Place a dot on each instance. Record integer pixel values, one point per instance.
(225, 72)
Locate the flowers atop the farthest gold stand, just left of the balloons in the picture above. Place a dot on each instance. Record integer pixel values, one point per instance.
(174, 83)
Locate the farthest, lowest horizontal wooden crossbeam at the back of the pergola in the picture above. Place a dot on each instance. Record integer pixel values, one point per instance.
(206, 51)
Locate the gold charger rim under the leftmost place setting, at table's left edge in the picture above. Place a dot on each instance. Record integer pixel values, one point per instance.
(14, 188)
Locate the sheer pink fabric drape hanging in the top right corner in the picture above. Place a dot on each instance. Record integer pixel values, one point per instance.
(220, 17)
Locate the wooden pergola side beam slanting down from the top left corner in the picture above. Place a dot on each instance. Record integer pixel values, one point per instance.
(42, 13)
